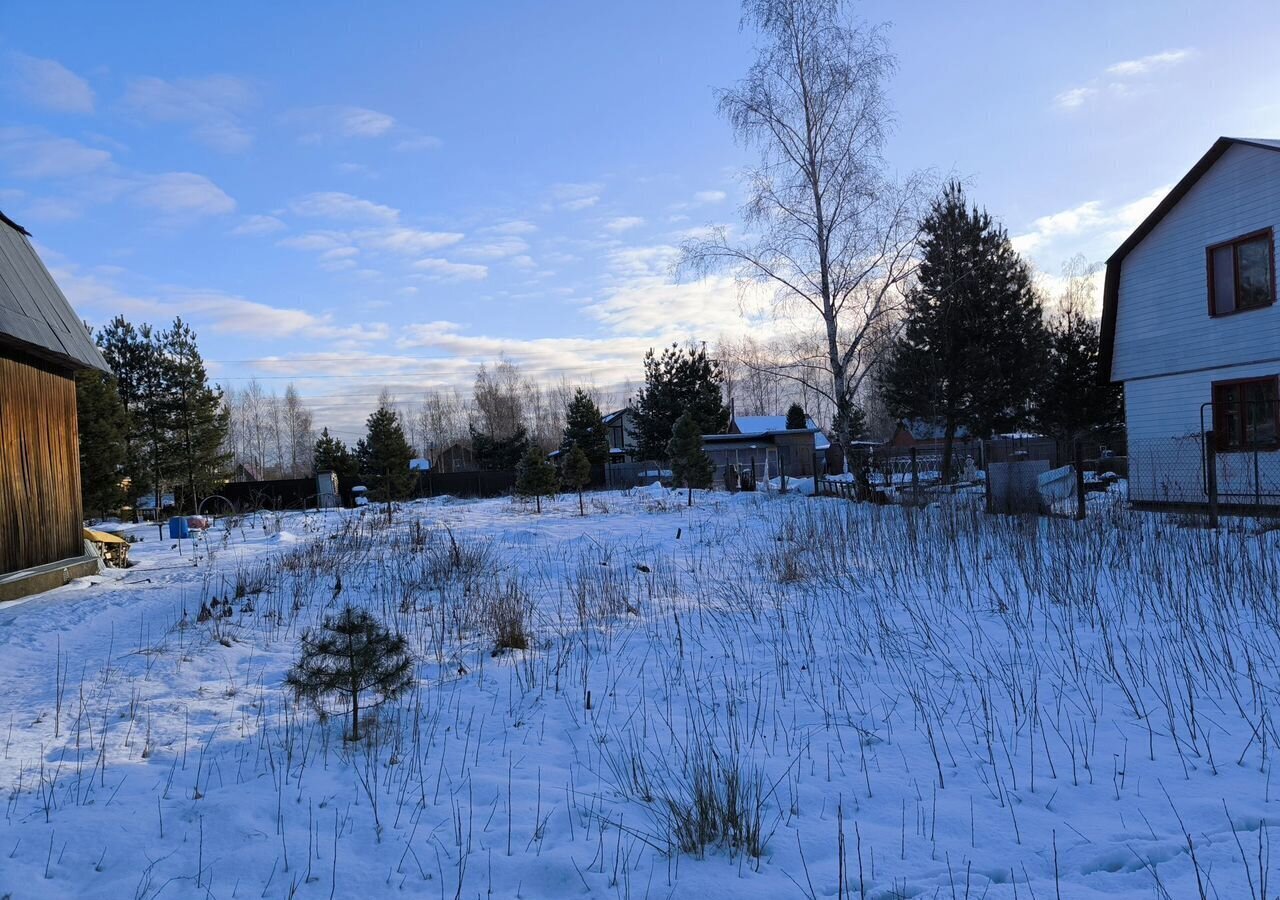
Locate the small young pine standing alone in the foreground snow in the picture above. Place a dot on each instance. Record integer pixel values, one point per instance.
(353, 654)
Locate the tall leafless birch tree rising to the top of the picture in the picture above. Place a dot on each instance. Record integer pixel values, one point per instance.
(831, 231)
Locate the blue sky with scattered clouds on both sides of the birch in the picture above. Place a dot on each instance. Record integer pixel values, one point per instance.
(415, 189)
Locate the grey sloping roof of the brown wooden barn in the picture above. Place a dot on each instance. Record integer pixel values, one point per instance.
(35, 317)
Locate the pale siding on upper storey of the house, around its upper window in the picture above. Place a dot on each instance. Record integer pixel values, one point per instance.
(1163, 323)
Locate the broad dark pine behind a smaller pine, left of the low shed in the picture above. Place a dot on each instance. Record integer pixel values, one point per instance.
(680, 381)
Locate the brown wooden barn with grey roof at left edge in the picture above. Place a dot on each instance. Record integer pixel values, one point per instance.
(43, 344)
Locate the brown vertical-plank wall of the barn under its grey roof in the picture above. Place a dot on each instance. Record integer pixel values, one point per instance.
(40, 500)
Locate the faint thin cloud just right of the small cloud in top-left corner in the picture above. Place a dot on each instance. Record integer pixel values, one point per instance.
(212, 107)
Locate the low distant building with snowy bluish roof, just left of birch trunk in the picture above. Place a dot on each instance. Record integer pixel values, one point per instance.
(767, 446)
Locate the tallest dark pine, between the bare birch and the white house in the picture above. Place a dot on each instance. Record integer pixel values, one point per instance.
(975, 341)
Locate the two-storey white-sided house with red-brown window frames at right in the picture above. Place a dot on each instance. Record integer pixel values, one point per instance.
(1191, 327)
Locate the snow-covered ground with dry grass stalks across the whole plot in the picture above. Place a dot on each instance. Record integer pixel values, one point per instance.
(883, 703)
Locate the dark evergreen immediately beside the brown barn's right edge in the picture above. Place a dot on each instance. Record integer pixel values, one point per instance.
(102, 442)
